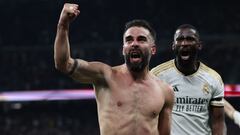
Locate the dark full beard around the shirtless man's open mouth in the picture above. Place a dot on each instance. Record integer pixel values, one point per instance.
(139, 66)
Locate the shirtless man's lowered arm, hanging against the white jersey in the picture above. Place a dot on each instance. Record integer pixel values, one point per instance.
(165, 116)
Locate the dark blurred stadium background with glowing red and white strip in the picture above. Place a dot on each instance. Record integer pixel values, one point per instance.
(27, 31)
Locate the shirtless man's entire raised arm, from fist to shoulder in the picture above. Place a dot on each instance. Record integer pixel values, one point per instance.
(88, 72)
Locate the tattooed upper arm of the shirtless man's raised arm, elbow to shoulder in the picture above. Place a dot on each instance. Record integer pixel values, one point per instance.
(88, 72)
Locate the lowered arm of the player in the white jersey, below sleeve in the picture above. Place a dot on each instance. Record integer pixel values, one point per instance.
(217, 117)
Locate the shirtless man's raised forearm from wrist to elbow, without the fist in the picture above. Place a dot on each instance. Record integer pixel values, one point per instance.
(61, 47)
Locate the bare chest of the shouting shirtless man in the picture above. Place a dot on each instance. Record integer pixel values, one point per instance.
(137, 98)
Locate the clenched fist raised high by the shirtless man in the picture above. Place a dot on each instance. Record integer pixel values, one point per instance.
(68, 14)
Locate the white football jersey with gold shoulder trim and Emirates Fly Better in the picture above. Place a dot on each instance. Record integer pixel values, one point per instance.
(193, 95)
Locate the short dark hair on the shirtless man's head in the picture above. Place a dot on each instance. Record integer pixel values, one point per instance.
(141, 23)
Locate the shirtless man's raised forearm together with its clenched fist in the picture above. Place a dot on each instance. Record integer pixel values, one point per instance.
(63, 60)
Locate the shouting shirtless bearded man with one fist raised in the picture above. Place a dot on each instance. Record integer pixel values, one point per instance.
(130, 100)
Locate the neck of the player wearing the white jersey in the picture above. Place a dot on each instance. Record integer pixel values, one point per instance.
(187, 68)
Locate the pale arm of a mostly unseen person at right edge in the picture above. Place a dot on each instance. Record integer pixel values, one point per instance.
(231, 112)
